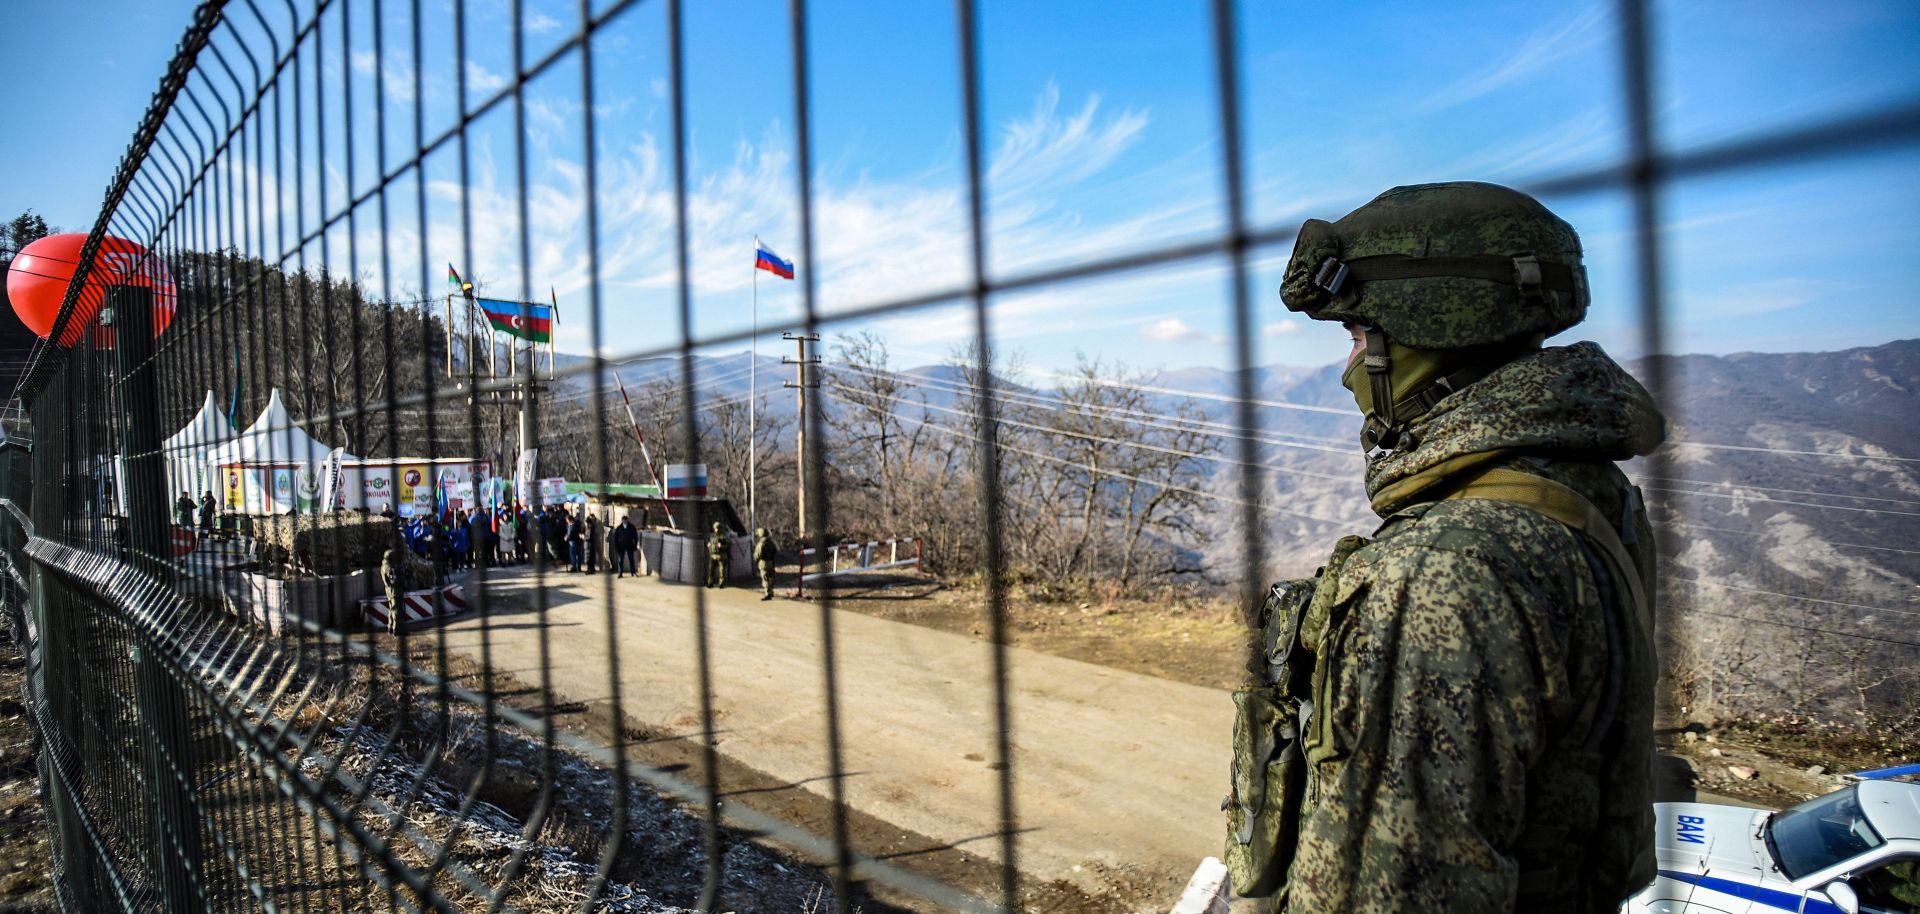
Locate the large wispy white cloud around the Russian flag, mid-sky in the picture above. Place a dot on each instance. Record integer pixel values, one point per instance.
(873, 239)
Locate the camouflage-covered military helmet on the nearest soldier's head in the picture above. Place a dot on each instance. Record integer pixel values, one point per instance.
(1443, 268)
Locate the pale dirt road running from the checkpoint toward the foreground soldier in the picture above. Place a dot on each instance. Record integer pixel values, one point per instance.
(1113, 769)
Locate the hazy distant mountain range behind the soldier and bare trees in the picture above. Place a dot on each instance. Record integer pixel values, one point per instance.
(1790, 481)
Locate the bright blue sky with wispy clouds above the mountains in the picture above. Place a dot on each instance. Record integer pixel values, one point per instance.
(1103, 139)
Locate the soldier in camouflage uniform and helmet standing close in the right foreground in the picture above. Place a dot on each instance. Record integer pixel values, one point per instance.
(1458, 713)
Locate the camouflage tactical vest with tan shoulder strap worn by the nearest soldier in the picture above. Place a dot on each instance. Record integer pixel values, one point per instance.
(1276, 711)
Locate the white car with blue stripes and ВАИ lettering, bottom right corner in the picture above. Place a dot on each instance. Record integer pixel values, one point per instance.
(1852, 852)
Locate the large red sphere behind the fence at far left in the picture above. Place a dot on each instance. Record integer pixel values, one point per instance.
(41, 274)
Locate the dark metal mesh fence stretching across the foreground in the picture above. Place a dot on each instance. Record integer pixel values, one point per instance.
(226, 731)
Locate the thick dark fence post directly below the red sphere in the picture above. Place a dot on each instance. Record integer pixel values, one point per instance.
(166, 729)
